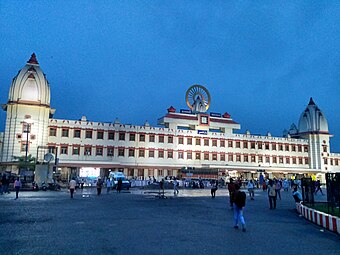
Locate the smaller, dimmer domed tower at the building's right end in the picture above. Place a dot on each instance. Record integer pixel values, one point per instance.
(314, 127)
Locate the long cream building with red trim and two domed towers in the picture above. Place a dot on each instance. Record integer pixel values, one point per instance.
(188, 139)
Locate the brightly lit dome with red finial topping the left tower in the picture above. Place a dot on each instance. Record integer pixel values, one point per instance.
(30, 85)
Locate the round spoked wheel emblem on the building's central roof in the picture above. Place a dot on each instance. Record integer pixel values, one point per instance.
(198, 98)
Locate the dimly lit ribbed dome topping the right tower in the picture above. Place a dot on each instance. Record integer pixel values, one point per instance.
(312, 120)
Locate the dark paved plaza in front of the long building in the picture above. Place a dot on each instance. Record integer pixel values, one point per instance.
(136, 222)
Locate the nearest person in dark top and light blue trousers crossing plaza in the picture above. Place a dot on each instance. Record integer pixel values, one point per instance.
(238, 205)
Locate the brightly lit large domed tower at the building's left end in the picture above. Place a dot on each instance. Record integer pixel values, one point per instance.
(28, 111)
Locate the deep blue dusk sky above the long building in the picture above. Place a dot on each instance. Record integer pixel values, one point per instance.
(260, 60)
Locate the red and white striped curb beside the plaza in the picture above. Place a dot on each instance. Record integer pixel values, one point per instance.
(322, 219)
